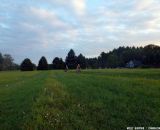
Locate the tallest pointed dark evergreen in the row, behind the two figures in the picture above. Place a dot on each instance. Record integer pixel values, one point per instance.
(71, 60)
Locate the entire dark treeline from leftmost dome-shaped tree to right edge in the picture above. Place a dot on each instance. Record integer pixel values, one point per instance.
(148, 56)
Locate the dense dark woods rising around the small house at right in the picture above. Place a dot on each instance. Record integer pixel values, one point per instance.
(148, 56)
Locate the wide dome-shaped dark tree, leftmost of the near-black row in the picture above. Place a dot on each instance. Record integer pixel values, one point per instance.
(27, 65)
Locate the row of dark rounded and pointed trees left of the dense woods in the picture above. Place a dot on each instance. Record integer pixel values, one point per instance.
(71, 62)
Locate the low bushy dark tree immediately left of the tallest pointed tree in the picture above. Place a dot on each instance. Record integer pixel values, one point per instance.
(58, 63)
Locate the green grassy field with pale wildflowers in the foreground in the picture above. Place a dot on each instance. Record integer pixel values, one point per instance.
(92, 100)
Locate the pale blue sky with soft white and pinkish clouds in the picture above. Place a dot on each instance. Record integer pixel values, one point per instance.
(50, 28)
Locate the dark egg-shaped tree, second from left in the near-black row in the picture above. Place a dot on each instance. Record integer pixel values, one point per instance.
(43, 64)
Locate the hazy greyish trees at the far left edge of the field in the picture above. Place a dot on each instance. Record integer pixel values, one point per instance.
(6, 63)
